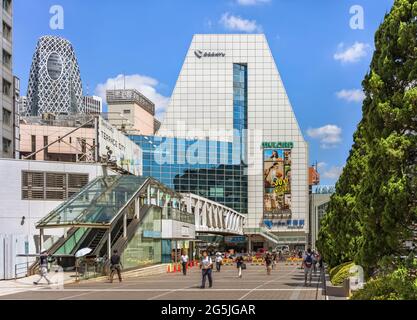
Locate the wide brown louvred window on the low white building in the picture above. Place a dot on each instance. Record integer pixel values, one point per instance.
(51, 186)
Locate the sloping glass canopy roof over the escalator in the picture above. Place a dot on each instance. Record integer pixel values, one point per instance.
(97, 204)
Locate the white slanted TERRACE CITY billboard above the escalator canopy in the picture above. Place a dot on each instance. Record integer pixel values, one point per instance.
(115, 147)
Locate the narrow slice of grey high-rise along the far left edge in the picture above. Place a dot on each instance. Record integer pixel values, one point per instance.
(6, 77)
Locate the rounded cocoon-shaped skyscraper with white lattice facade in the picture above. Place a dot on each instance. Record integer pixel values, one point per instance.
(54, 81)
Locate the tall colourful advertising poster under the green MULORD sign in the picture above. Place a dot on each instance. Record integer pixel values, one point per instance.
(277, 184)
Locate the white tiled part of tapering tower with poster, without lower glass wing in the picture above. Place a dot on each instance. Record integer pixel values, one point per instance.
(231, 82)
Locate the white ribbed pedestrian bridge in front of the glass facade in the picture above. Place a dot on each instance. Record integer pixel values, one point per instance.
(212, 217)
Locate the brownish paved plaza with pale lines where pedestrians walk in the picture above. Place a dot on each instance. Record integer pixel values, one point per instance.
(285, 283)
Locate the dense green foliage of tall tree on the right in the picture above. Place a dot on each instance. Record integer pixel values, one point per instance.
(374, 208)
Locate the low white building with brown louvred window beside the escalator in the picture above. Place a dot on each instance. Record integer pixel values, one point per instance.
(34, 189)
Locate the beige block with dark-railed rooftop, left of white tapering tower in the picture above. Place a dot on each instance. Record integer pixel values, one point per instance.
(131, 112)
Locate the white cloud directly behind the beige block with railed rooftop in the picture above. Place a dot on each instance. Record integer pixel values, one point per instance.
(144, 84)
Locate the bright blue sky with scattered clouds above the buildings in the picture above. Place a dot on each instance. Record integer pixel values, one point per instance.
(322, 58)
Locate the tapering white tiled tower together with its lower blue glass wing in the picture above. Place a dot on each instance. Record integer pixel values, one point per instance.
(230, 90)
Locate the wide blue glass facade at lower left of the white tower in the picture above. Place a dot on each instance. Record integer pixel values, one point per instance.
(211, 170)
